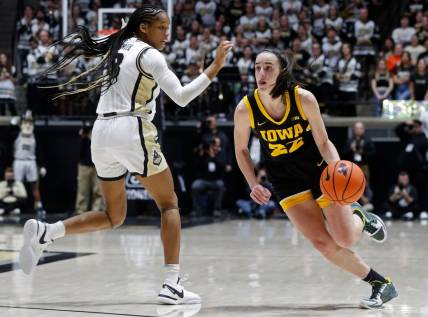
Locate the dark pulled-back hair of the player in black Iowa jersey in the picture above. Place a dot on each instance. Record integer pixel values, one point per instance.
(285, 80)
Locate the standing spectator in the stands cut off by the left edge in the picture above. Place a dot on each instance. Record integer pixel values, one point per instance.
(7, 86)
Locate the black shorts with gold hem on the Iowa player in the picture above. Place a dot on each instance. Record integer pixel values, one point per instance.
(297, 181)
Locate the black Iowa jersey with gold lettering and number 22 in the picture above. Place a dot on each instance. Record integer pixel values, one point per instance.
(292, 159)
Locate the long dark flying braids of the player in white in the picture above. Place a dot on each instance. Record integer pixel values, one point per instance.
(80, 43)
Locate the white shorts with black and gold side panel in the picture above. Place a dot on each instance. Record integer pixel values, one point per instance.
(123, 144)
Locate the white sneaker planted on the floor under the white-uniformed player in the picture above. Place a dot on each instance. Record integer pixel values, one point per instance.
(175, 294)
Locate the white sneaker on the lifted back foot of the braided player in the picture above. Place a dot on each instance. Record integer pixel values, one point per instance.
(34, 245)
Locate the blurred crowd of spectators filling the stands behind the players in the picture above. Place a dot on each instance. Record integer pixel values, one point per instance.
(336, 45)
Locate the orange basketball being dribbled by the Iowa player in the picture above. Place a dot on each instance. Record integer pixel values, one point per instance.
(342, 182)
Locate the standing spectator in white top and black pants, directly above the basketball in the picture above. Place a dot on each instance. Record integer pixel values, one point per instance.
(348, 73)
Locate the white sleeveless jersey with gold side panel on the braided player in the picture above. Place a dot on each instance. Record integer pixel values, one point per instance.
(135, 90)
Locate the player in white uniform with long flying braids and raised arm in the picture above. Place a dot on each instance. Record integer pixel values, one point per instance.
(124, 139)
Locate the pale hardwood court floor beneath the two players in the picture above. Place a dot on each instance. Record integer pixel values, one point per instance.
(240, 268)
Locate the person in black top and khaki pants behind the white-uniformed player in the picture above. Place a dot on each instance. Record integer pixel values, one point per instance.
(88, 191)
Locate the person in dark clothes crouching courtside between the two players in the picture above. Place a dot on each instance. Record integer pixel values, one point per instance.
(208, 187)
